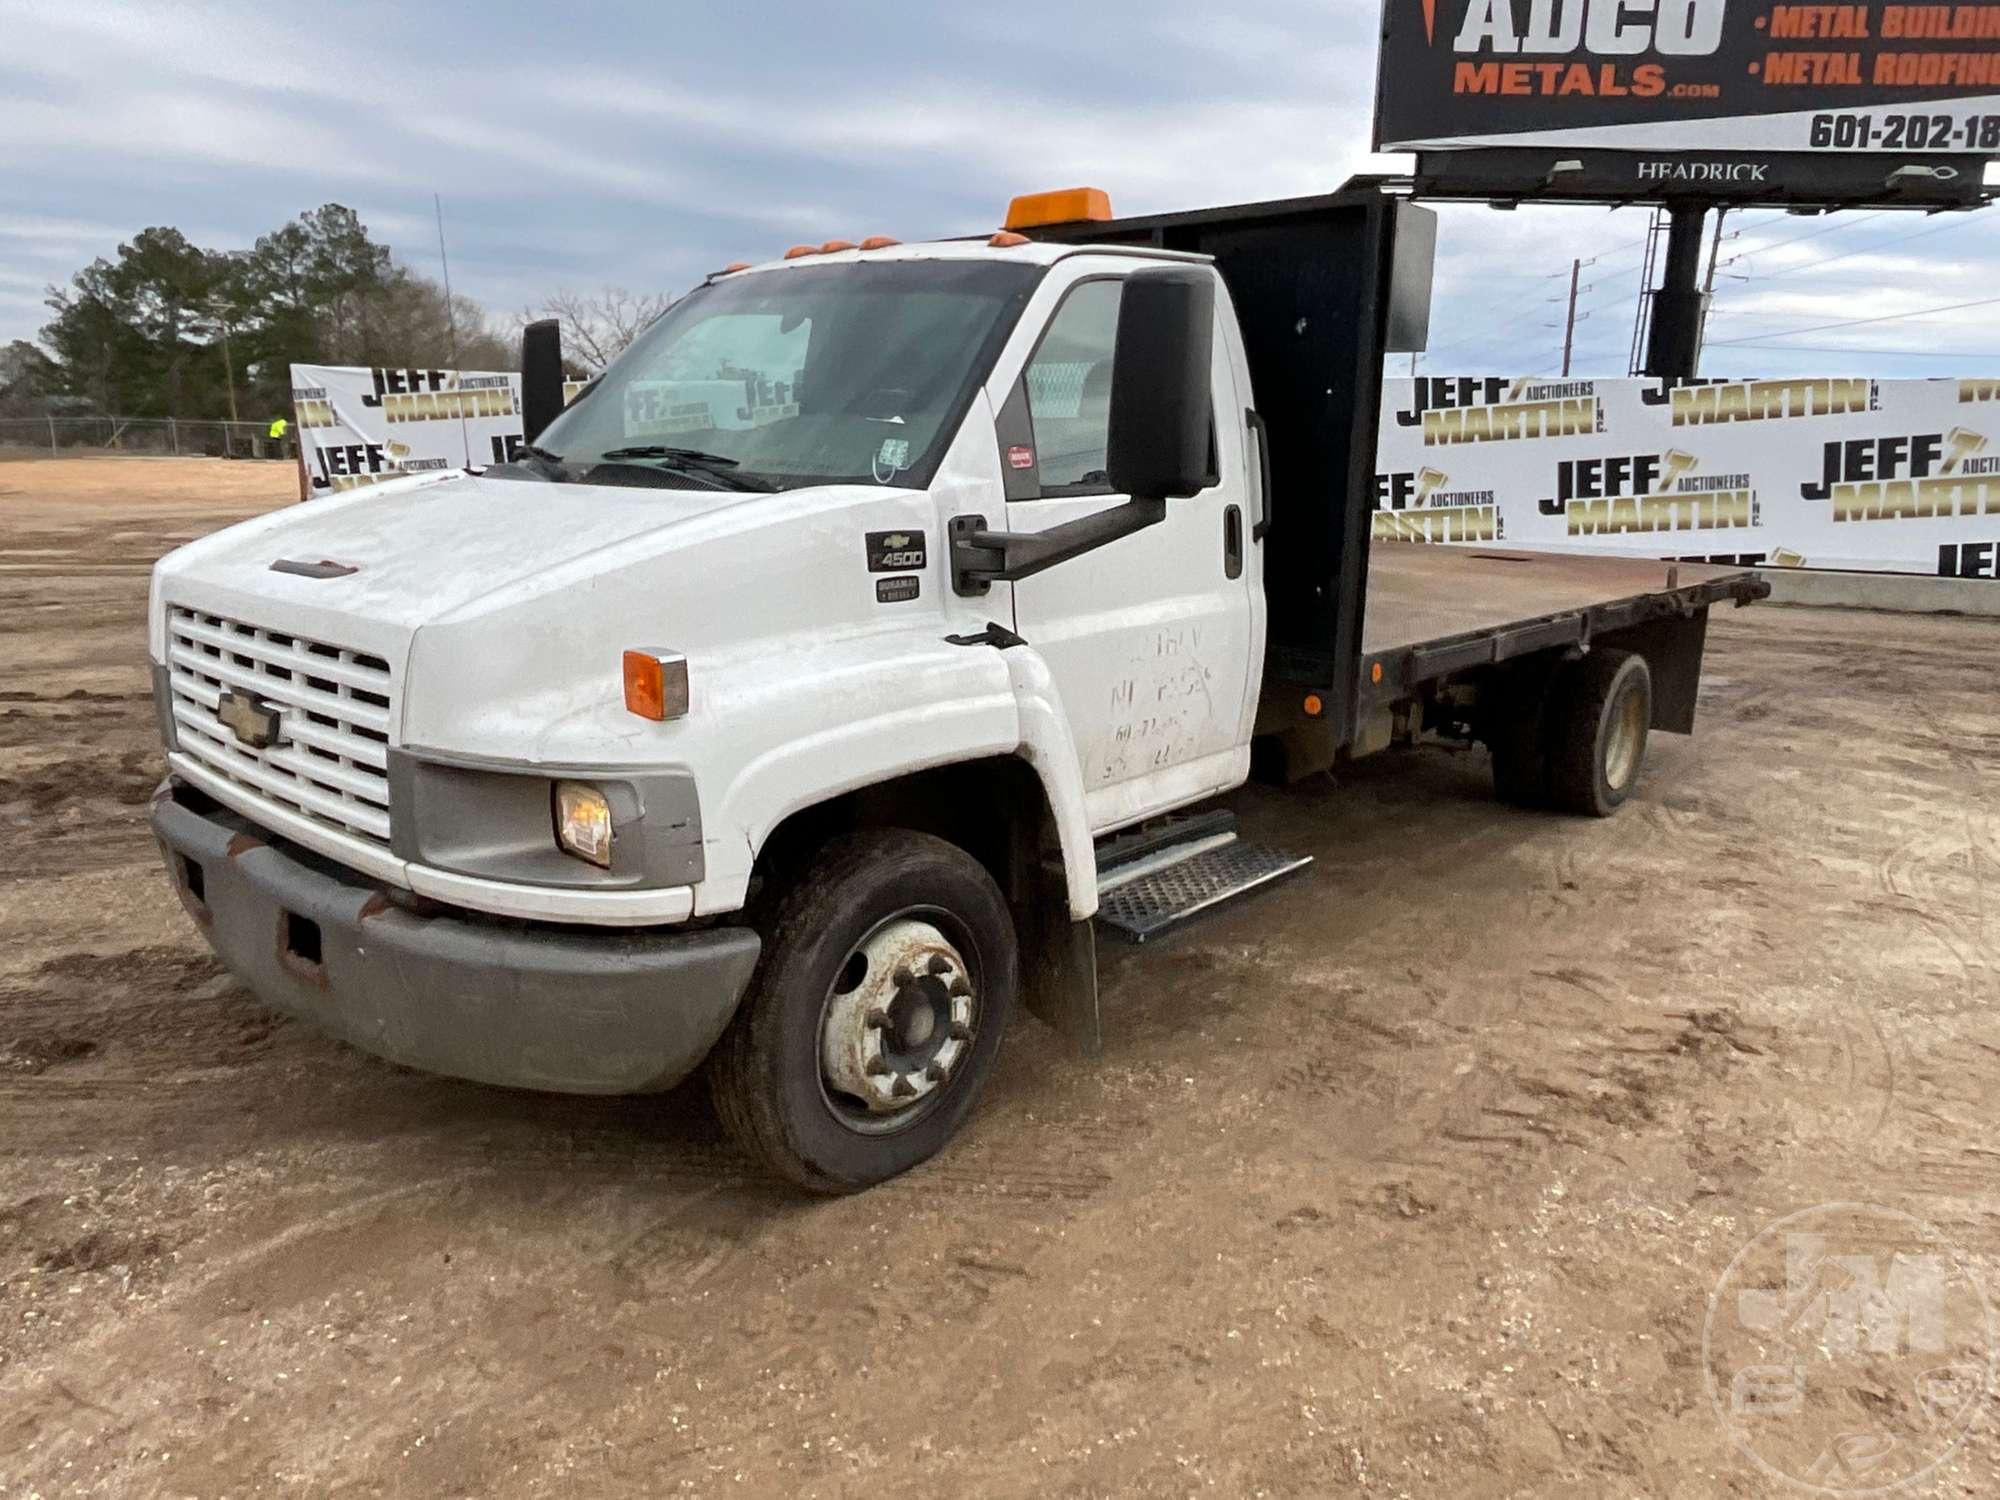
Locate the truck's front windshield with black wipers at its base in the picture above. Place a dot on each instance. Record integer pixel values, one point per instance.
(819, 375)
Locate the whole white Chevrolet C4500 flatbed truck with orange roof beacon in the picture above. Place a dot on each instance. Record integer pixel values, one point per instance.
(807, 693)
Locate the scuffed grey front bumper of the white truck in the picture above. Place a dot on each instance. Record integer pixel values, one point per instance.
(527, 1007)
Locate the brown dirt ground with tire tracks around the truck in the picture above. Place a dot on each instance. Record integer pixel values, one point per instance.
(1409, 1179)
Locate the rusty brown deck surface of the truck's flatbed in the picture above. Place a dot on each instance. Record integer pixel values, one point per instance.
(1429, 595)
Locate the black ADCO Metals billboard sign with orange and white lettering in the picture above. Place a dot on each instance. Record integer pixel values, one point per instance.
(1919, 81)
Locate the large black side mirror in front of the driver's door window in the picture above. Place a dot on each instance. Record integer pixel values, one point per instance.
(1161, 389)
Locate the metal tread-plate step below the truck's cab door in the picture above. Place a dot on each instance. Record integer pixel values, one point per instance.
(1163, 877)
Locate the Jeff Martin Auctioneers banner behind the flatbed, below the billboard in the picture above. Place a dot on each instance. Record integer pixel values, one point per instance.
(1829, 473)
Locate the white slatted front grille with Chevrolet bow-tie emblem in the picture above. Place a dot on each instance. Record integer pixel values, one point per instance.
(331, 761)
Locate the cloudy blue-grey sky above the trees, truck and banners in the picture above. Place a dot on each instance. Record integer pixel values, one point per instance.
(649, 143)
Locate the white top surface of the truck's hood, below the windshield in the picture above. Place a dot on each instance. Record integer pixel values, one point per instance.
(427, 549)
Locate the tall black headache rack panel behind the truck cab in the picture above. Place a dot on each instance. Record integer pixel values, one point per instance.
(1323, 289)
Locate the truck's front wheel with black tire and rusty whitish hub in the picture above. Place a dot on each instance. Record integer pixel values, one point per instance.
(887, 981)
